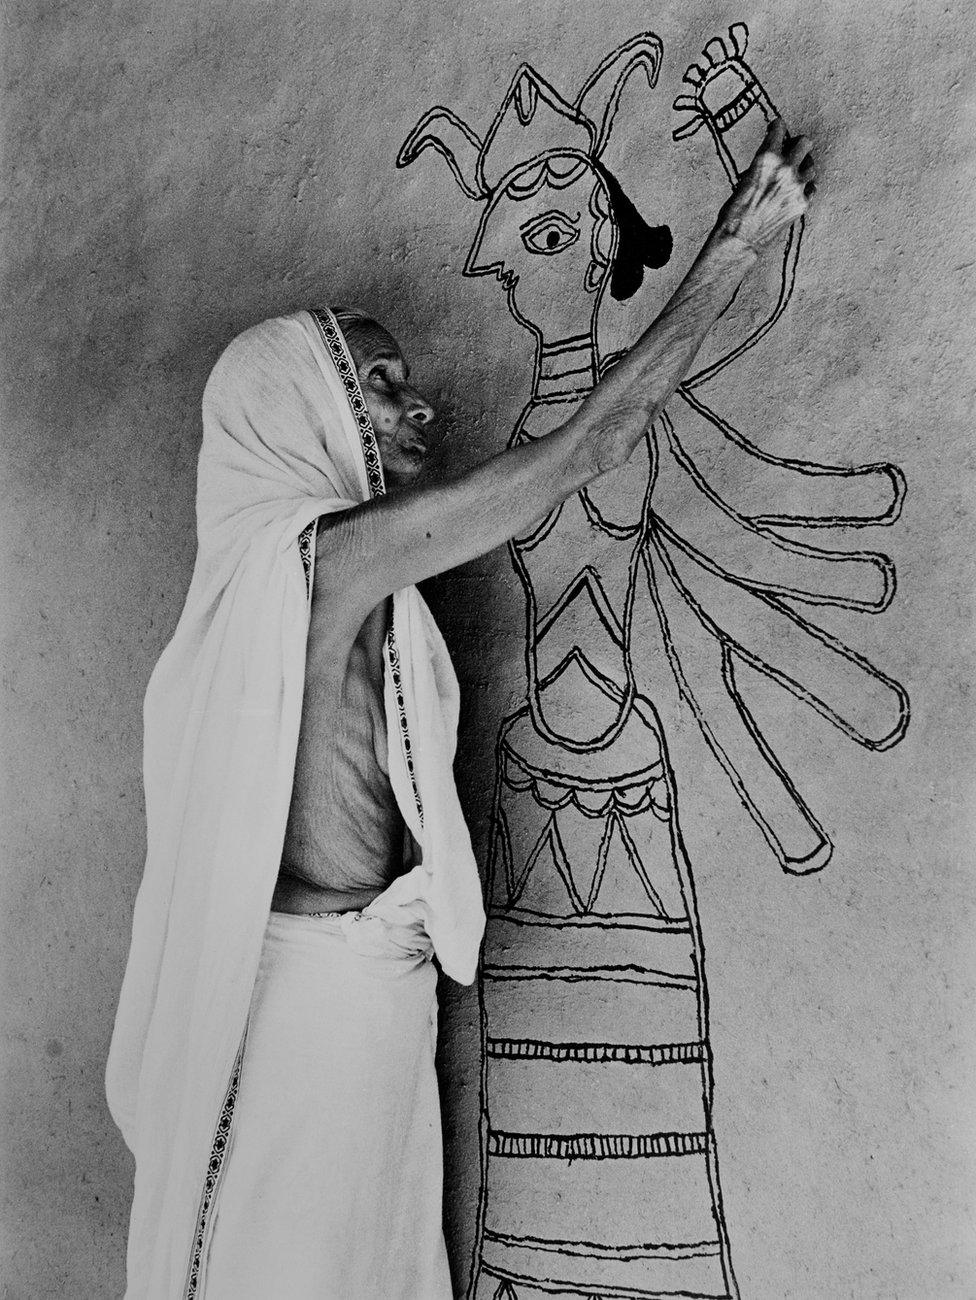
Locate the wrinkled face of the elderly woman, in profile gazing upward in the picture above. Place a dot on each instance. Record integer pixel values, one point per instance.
(401, 417)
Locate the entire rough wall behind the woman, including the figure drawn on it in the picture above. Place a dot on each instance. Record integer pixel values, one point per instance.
(717, 712)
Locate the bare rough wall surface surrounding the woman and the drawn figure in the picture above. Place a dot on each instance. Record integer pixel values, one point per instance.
(173, 174)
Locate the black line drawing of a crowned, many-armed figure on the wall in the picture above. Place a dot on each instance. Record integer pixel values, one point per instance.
(695, 564)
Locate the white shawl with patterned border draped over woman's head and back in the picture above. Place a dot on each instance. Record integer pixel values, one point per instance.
(287, 439)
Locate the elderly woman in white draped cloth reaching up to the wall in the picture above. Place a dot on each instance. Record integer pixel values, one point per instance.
(274, 1060)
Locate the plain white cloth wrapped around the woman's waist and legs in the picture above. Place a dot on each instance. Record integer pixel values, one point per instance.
(341, 1197)
